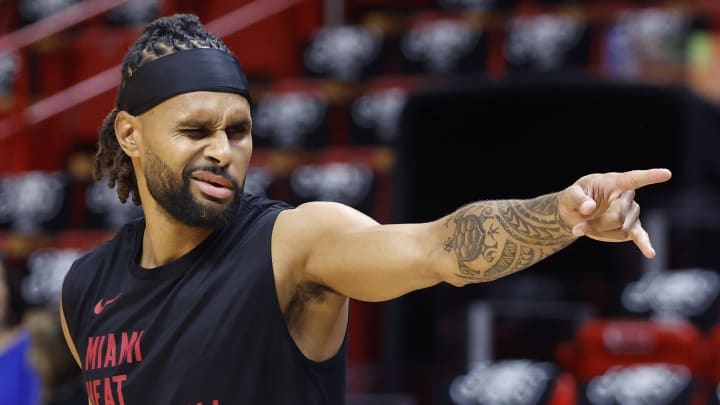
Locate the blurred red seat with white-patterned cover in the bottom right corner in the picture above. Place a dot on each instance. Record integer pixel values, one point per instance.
(617, 361)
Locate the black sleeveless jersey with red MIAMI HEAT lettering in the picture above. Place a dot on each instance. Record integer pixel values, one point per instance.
(204, 329)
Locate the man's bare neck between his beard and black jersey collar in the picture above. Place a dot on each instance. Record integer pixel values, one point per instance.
(165, 239)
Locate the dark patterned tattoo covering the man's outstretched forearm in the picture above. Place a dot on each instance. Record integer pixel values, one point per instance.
(491, 239)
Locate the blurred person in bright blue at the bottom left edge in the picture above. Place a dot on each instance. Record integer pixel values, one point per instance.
(19, 382)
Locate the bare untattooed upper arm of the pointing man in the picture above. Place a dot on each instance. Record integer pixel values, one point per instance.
(352, 254)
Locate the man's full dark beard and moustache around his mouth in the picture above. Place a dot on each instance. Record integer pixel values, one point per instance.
(174, 196)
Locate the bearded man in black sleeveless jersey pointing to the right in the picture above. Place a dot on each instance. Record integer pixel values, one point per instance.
(220, 297)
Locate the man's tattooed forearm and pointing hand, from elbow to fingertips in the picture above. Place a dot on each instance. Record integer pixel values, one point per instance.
(494, 238)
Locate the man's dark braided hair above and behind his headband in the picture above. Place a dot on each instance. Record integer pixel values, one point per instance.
(163, 36)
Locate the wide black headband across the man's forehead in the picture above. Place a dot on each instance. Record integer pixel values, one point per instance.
(198, 69)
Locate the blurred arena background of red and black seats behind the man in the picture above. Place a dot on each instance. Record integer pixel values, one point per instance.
(407, 109)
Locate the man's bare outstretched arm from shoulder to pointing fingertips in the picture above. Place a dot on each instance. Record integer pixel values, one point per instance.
(351, 254)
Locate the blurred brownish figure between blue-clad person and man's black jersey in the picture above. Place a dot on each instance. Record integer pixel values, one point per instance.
(61, 378)
